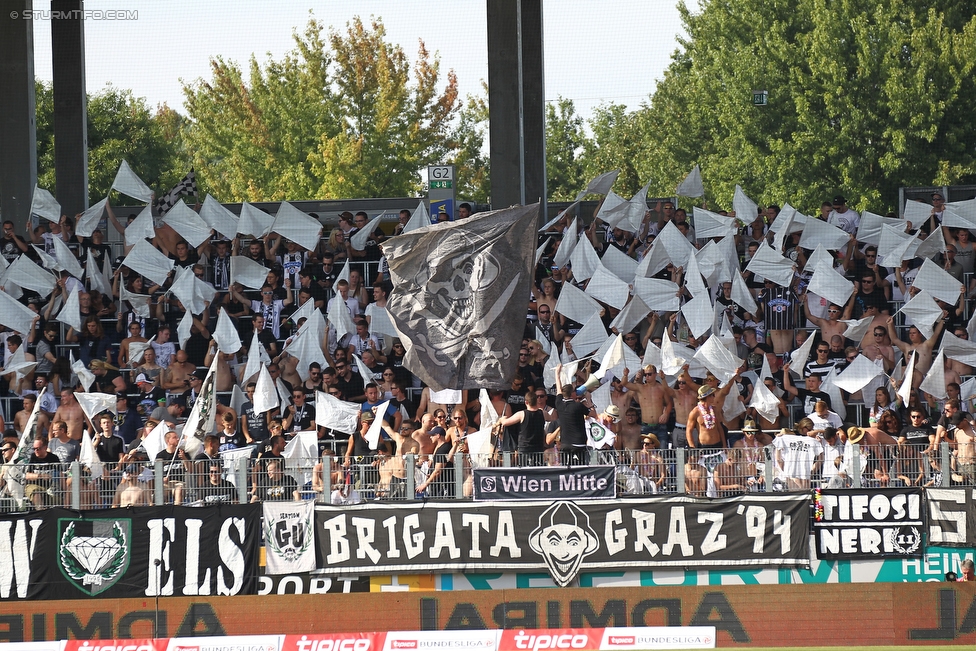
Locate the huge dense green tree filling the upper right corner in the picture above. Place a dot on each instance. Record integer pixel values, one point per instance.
(864, 97)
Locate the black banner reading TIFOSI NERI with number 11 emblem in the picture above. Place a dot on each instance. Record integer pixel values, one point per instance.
(870, 523)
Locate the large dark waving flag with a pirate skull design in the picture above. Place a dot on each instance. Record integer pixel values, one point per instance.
(460, 293)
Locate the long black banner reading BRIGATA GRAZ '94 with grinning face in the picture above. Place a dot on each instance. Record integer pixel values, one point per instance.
(563, 536)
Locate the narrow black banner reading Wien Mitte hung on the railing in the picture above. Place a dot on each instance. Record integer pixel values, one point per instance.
(548, 482)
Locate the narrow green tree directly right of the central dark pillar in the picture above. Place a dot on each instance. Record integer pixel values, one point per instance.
(564, 144)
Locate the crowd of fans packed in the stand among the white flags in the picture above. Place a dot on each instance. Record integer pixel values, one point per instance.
(727, 445)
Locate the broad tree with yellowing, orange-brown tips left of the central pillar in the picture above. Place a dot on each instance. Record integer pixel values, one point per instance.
(338, 117)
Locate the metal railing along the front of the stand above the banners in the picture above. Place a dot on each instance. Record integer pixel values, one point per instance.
(694, 472)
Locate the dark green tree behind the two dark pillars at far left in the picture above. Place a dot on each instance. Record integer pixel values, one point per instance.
(120, 126)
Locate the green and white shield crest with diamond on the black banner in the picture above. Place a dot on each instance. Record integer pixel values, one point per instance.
(94, 554)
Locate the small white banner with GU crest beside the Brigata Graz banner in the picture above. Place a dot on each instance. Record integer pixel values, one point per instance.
(289, 537)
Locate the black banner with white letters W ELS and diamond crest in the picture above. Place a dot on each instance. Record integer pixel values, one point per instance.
(139, 552)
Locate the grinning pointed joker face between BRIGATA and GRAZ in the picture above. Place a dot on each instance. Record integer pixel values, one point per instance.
(563, 539)
